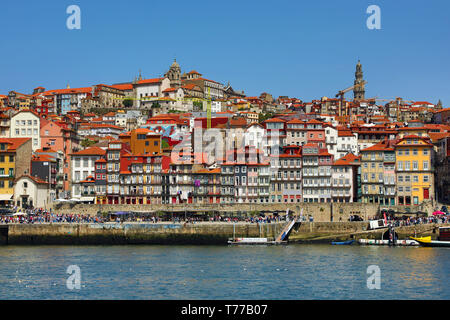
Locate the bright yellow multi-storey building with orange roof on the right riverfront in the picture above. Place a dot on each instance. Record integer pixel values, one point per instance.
(414, 170)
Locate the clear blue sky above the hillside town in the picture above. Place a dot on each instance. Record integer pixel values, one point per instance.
(306, 49)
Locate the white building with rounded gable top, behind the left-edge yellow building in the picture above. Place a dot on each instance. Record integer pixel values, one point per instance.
(26, 124)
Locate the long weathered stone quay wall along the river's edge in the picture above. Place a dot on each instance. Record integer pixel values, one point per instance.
(199, 233)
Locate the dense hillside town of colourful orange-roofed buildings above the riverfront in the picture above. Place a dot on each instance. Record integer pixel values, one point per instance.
(149, 141)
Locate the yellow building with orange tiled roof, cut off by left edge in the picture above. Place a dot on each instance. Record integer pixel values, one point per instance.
(15, 157)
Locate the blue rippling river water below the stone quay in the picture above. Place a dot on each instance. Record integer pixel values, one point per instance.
(292, 272)
